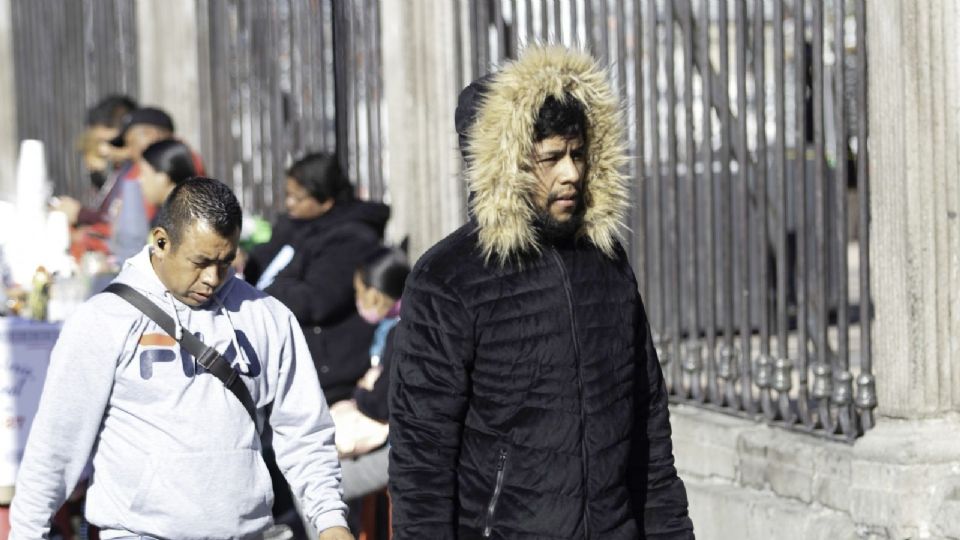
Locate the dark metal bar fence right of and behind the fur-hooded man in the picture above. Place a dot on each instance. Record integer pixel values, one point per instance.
(750, 223)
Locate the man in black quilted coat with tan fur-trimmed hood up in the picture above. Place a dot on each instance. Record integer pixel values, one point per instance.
(526, 396)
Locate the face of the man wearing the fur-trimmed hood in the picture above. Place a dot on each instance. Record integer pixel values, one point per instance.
(559, 165)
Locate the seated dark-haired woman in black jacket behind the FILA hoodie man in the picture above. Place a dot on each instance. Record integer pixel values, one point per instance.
(309, 264)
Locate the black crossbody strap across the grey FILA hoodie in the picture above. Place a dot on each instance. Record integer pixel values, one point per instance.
(206, 356)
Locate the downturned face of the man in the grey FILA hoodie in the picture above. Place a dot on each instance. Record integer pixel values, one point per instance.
(195, 268)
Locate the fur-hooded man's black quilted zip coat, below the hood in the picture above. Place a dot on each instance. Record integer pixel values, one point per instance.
(527, 401)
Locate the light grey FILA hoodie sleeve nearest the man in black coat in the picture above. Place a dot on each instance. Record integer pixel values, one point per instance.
(303, 435)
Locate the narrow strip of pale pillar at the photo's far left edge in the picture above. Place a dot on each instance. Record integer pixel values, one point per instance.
(8, 105)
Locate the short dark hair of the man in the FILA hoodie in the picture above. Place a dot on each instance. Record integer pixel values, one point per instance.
(200, 199)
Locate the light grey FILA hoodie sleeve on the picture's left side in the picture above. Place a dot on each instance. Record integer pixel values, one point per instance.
(75, 395)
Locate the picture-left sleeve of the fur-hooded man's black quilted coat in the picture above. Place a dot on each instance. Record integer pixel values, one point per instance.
(429, 392)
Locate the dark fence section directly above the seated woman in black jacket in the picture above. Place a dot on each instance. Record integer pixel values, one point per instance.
(283, 78)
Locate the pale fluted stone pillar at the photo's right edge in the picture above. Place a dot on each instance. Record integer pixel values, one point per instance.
(914, 84)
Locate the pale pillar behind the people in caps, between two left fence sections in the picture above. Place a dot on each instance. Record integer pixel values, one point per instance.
(168, 55)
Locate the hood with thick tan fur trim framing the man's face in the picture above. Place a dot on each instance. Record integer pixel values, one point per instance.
(495, 120)
